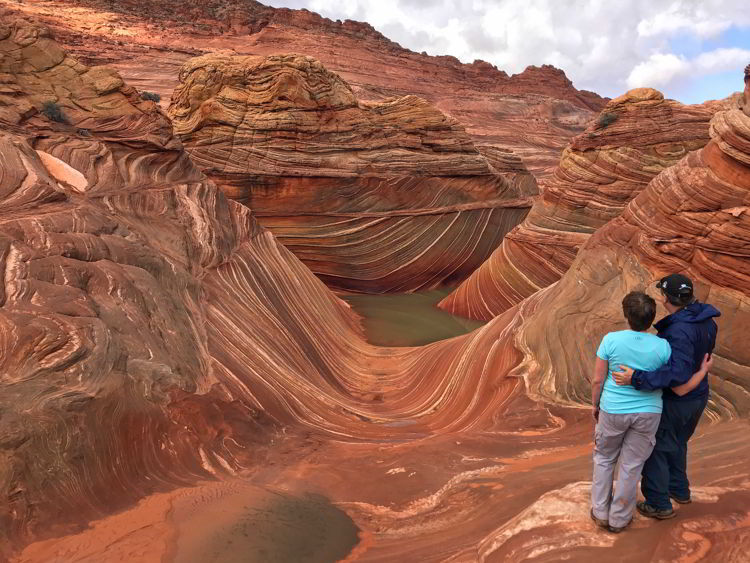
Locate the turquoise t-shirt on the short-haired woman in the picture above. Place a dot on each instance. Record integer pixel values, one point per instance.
(638, 350)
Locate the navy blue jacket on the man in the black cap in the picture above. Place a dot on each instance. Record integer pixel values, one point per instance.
(691, 332)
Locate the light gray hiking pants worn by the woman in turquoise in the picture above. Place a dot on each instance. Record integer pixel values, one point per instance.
(629, 437)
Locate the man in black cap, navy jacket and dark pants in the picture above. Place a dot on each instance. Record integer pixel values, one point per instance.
(691, 332)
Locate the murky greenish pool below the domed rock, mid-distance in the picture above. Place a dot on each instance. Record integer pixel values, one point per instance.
(408, 319)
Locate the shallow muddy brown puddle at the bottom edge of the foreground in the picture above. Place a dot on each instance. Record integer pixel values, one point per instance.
(245, 525)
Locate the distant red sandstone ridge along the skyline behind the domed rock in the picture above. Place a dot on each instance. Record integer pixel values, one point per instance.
(535, 113)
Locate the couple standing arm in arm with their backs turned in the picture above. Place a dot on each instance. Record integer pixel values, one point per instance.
(648, 394)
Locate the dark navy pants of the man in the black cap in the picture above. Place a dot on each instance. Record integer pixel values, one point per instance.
(665, 470)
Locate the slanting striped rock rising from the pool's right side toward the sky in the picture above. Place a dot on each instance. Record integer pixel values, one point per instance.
(636, 136)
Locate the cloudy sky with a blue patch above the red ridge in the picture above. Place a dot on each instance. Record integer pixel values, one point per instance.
(692, 50)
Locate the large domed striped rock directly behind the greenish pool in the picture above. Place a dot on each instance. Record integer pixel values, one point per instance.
(373, 197)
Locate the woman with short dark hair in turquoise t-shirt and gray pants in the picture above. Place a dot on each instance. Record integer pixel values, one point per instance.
(627, 419)
